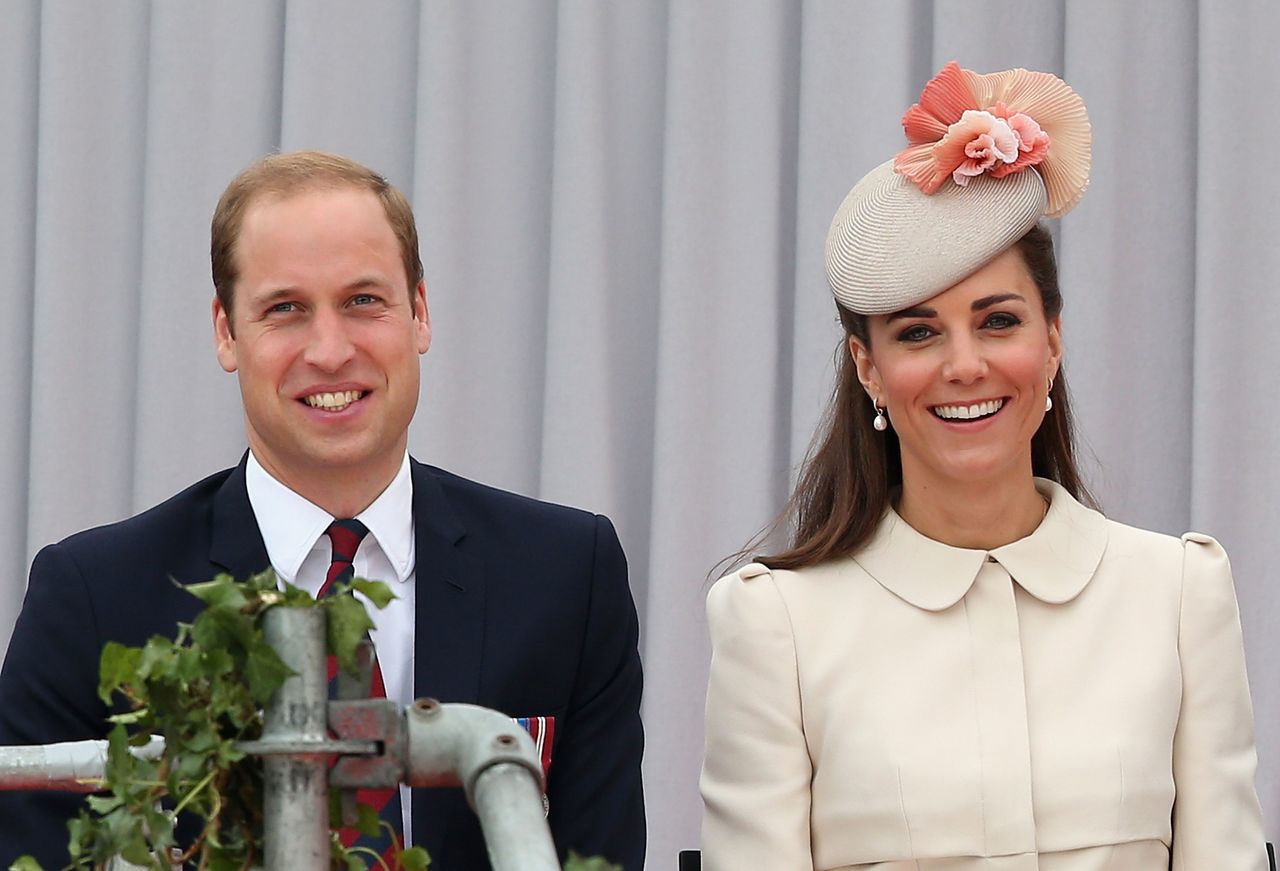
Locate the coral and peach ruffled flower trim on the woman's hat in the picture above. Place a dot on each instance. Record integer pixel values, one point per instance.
(1049, 118)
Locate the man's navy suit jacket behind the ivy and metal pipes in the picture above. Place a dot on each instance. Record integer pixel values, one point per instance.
(522, 606)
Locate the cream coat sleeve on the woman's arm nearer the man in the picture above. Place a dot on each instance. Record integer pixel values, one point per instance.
(757, 768)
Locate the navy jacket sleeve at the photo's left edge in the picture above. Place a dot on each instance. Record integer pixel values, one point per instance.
(48, 695)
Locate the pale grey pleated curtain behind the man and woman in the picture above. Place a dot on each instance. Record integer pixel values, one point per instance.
(623, 207)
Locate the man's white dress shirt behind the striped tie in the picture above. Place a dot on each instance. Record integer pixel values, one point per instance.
(294, 532)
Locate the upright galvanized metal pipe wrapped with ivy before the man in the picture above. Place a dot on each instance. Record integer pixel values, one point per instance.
(296, 802)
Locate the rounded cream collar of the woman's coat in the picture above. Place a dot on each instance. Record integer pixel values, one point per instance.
(1054, 564)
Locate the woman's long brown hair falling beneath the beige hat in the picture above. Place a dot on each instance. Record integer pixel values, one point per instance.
(845, 484)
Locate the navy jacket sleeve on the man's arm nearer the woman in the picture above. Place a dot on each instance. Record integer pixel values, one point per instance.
(597, 801)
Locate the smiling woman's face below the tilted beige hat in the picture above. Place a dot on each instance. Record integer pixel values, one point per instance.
(964, 376)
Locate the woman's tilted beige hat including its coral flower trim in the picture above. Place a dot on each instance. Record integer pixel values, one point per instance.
(989, 157)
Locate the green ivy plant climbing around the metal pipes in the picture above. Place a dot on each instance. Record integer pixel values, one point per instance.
(204, 691)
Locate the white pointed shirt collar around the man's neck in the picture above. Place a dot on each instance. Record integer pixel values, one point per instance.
(291, 526)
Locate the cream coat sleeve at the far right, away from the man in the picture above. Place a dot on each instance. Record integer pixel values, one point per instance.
(1218, 822)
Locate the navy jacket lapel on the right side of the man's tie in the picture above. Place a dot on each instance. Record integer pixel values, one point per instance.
(451, 599)
